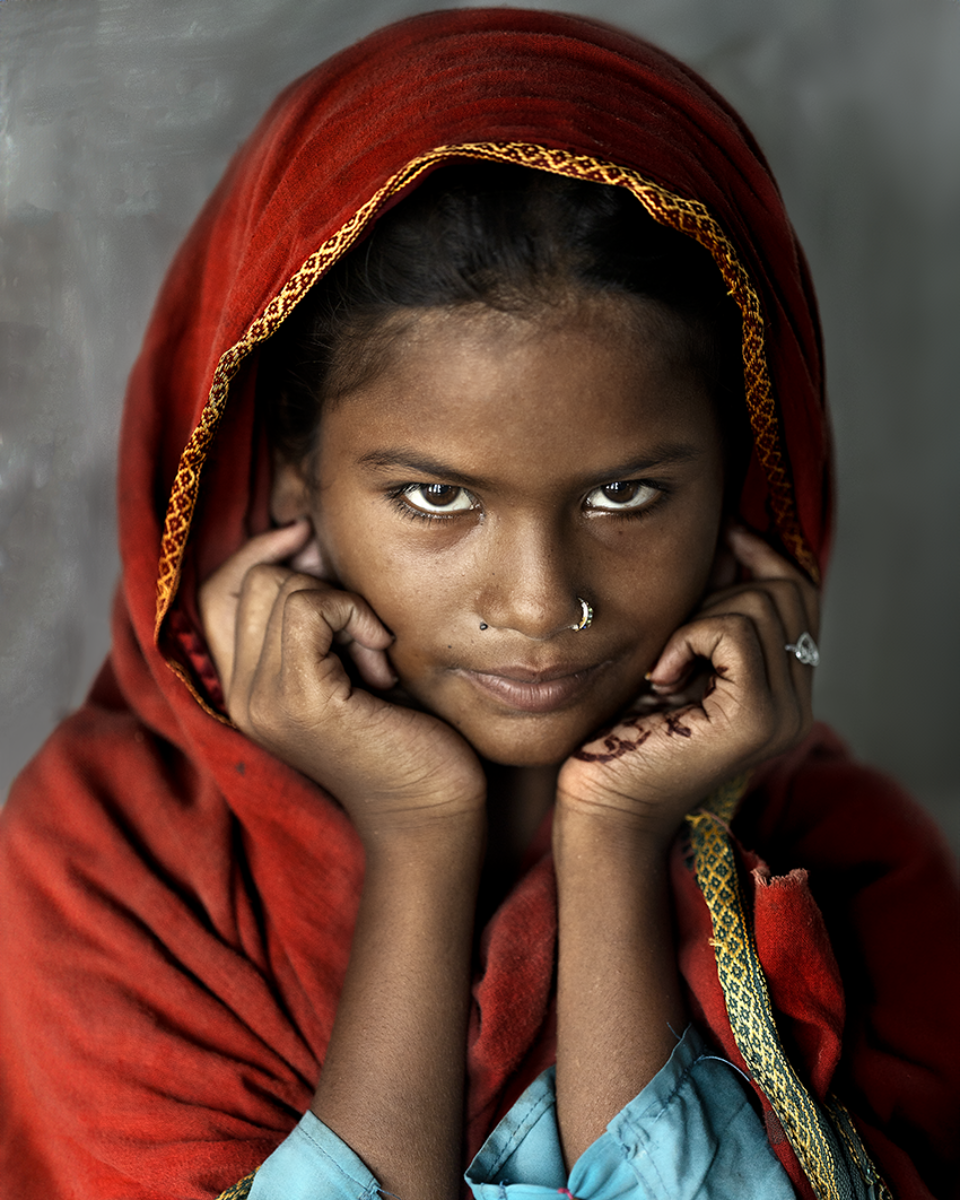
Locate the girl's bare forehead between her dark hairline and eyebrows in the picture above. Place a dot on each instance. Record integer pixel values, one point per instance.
(572, 386)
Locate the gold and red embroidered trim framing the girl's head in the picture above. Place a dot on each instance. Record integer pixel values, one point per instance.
(688, 217)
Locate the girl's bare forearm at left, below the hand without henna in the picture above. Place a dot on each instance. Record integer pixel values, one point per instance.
(393, 1082)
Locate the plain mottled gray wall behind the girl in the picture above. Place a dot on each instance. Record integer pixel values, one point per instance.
(117, 118)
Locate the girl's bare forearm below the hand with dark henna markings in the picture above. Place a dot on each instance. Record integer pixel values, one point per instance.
(619, 989)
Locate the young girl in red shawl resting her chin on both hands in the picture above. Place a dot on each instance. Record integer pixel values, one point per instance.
(451, 796)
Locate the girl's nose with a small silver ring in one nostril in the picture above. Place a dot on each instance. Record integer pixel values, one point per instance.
(530, 585)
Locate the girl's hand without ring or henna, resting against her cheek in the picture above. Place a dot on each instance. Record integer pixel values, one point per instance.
(273, 634)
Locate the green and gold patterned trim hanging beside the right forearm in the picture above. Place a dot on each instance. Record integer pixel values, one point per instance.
(827, 1147)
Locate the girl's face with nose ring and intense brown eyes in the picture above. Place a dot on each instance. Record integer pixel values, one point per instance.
(499, 470)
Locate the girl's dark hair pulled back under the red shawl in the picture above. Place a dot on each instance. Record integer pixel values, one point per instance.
(517, 241)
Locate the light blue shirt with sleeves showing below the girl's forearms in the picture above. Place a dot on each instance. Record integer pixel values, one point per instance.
(692, 1135)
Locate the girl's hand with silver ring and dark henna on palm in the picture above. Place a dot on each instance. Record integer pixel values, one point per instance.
(751, 701)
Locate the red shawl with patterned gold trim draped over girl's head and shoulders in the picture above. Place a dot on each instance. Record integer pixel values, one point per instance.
(177, 905)
